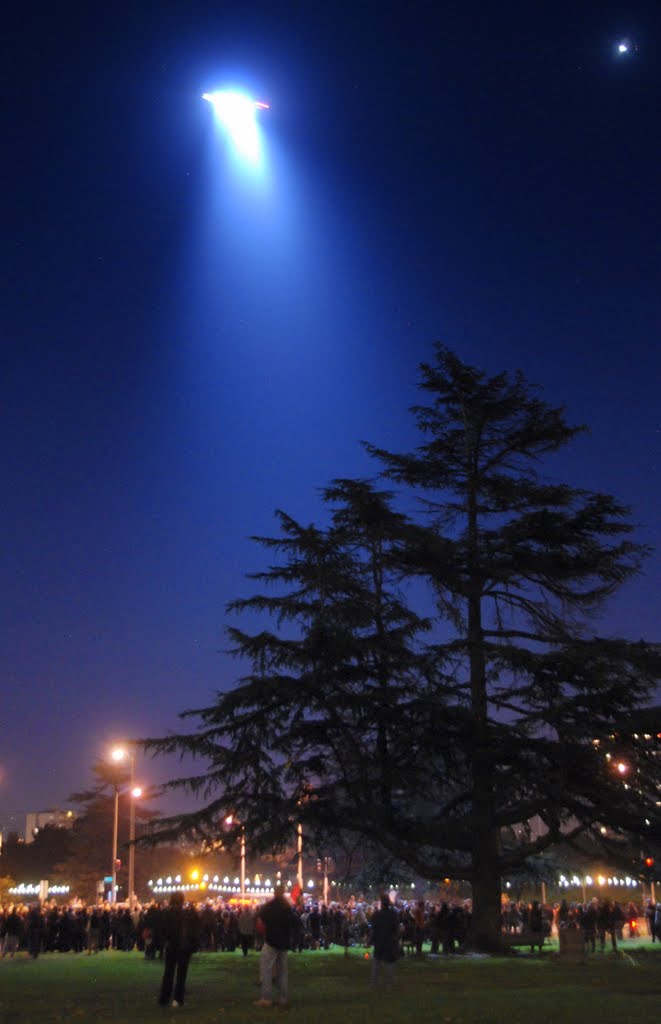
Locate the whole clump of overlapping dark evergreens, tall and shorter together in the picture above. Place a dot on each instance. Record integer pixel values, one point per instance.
(444, 746)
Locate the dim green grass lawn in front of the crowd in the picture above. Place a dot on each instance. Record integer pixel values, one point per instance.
(329, 989)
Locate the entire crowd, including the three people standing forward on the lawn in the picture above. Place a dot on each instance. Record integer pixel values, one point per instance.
(173, 932)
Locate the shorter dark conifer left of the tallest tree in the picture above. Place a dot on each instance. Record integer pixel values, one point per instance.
(319, 730)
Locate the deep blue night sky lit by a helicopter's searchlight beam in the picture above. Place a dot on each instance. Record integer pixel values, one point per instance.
(187, 349)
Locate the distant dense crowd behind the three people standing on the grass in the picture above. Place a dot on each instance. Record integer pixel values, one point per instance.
(225, 927)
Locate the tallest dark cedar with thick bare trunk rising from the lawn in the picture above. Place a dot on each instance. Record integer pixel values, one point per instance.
(520, 567)
